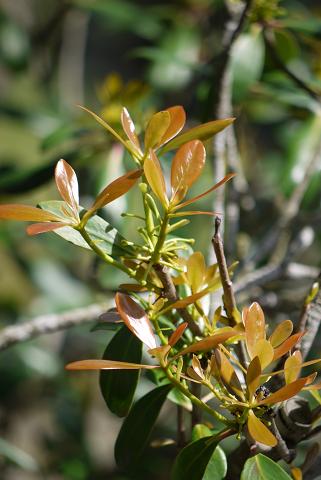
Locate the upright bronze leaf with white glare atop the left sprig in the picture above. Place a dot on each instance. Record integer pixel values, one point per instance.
(67, 184)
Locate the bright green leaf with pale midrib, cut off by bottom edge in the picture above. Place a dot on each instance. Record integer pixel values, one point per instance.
(261, 467)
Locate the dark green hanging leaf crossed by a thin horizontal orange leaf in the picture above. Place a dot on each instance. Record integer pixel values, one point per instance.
(118, 386)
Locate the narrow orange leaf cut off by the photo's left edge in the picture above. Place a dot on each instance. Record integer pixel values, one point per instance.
(27, 213)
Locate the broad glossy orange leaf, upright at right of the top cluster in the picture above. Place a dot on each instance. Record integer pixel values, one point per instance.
(187, 166)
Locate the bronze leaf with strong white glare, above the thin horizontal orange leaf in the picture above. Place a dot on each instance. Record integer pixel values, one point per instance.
(136, 319)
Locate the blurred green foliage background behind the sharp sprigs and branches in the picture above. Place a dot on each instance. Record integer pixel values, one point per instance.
(146, 55)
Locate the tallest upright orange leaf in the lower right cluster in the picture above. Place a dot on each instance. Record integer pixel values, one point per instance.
(254, 324)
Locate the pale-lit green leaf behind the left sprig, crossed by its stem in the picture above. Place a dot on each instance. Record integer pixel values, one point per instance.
(106, 236)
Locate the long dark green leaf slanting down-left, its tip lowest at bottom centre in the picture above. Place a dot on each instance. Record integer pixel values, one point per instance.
(137, 427)
